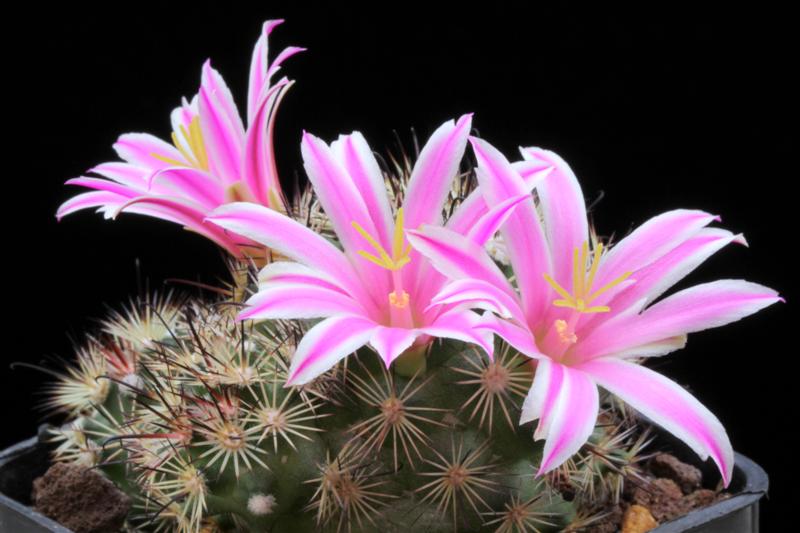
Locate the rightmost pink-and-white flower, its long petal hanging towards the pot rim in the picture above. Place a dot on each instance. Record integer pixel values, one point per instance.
(587, 313)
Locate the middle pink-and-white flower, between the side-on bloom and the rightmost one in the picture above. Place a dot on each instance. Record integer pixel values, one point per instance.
(376, 290)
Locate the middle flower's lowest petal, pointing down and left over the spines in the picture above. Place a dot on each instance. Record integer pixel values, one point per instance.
(326, 344)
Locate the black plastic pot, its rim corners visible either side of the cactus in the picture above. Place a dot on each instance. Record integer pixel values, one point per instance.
(25, 461)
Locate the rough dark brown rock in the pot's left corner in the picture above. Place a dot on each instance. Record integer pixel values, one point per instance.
(80, 499)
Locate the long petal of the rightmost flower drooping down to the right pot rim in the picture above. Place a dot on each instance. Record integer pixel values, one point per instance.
(668, 405)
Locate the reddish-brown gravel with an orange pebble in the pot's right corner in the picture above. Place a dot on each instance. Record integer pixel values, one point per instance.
(672, 489)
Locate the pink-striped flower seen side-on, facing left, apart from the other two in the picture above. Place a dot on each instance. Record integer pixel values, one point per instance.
(212, 160)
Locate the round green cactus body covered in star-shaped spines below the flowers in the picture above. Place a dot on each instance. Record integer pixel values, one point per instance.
(185, 409)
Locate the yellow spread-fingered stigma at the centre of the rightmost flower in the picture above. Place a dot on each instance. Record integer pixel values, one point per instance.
(582, 295)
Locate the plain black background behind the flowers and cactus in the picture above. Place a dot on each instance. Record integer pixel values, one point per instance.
(658, 110)
